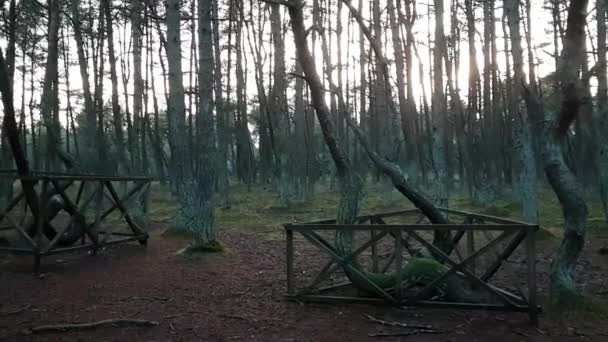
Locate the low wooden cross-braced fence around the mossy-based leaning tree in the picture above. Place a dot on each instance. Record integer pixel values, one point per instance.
(482, 247)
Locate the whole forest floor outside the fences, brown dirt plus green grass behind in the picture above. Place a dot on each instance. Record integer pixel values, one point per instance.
(238, 295)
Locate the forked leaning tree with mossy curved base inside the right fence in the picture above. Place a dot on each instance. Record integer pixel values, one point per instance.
(422, 270)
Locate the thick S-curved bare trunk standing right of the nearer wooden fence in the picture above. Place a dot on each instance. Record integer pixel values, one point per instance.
(561, 178)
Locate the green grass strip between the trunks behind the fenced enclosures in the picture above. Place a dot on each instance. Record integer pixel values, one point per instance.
(260, 210)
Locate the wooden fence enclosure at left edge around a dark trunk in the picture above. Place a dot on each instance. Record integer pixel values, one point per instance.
(75, 212)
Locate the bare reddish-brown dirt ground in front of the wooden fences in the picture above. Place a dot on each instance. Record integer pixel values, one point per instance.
(233, 297)
